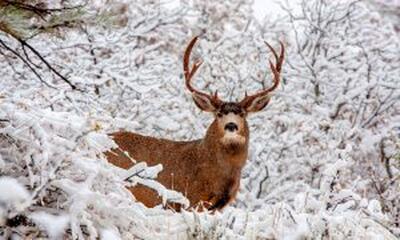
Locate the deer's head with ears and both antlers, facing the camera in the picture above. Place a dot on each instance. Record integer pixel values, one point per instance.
(230, 117)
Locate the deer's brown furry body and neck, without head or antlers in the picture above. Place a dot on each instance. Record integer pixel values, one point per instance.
(206, 171)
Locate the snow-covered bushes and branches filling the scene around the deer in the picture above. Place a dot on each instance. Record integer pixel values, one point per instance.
(324, 155)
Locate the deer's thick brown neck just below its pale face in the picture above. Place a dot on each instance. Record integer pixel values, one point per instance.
(226, 154)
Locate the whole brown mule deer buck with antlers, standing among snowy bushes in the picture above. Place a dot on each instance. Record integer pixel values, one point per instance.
(207, 170)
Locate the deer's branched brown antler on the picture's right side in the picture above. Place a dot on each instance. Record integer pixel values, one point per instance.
(276, 70)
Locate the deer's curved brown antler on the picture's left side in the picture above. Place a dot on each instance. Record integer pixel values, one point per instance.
(189, 73)
